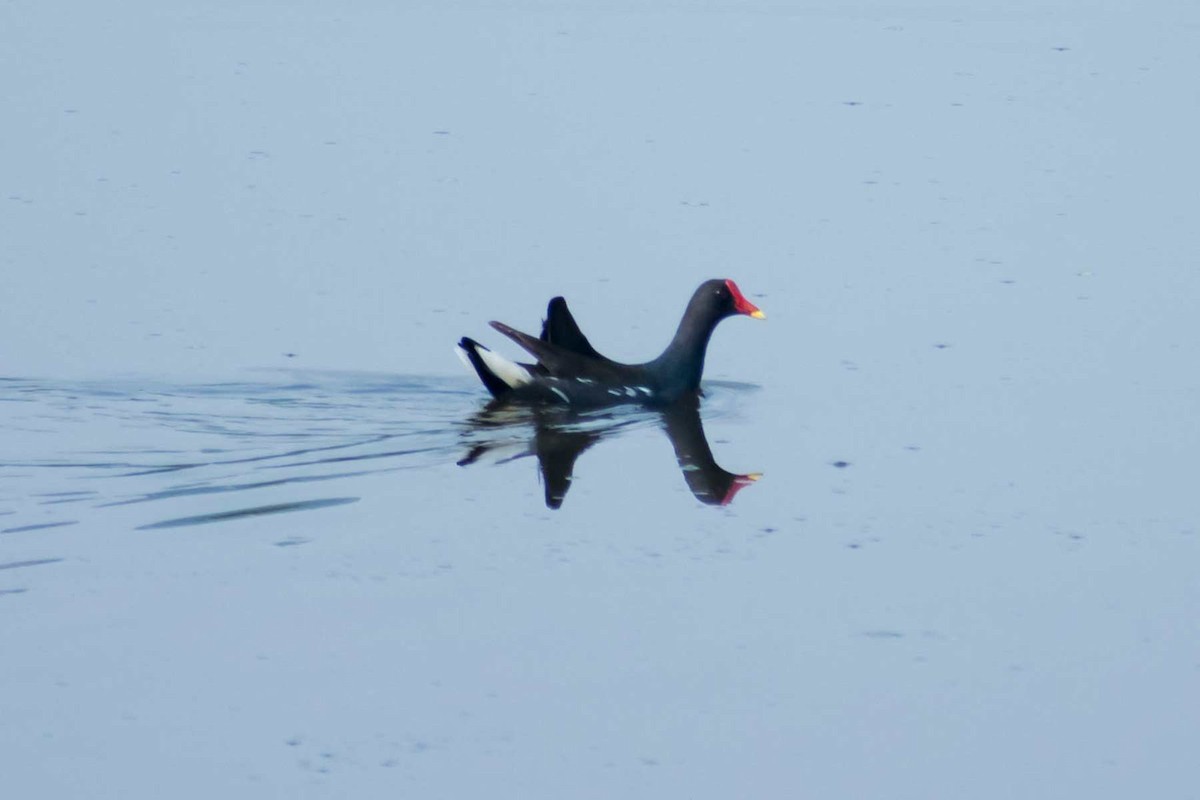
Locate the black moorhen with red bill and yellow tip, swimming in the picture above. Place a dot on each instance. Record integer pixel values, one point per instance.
(571, 371)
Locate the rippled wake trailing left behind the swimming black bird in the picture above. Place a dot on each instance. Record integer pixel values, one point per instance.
(101, 446)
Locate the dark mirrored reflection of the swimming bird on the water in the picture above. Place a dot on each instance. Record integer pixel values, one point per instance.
(560, 437)
